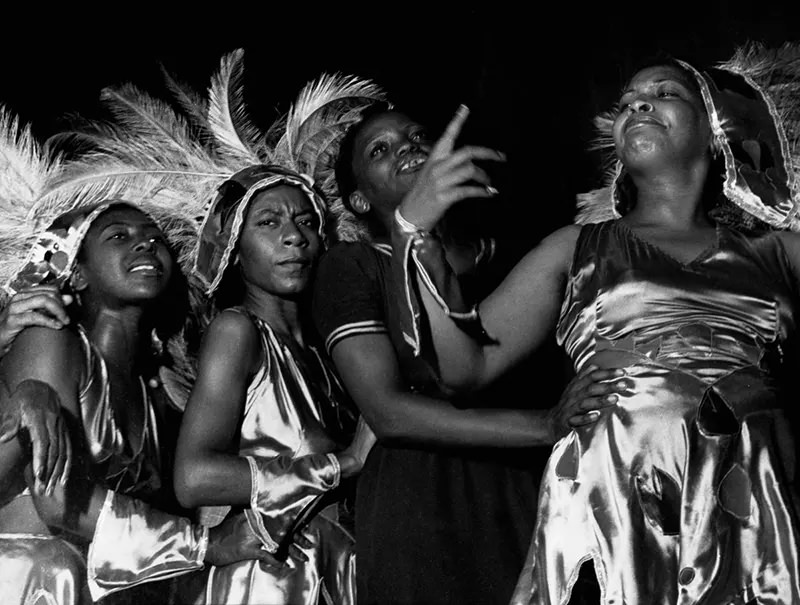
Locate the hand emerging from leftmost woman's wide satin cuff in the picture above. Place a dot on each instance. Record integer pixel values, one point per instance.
(233, 540)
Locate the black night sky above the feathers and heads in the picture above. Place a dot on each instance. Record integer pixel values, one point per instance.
(533, 82)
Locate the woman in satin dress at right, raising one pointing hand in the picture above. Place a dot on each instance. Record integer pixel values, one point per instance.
(682, 491)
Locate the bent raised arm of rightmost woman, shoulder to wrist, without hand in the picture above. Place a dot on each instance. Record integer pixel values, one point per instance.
(515, 319)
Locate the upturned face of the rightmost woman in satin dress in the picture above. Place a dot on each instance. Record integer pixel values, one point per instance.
(662, 116)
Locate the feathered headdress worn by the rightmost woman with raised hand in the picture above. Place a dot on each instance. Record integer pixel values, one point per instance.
(753, 104)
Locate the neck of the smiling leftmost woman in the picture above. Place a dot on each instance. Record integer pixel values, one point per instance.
(121, 335)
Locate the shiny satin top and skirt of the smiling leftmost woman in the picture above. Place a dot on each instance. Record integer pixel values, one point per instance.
(48, 570)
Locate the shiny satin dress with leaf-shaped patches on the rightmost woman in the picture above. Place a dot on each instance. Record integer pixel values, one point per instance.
(683, 491)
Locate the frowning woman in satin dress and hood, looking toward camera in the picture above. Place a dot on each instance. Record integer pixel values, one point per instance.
(266, 423)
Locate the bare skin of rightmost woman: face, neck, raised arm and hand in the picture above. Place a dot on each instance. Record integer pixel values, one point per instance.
(662, 136)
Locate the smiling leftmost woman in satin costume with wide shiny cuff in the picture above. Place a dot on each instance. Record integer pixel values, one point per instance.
(114, 260)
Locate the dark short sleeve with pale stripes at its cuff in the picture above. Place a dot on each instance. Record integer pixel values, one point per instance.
(347, 296)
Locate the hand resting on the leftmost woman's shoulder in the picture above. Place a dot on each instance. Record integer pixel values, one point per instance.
(36, 306)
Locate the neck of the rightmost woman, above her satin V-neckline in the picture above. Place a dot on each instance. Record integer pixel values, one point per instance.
(672, 199)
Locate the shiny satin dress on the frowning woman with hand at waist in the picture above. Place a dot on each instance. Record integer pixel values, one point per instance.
(293, 406)
